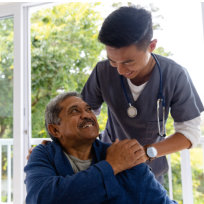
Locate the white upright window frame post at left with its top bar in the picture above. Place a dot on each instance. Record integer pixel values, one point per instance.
(21, 92)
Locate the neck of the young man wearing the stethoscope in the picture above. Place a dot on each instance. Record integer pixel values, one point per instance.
(145, 75)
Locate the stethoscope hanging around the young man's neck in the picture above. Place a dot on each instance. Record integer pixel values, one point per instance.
(132, 111)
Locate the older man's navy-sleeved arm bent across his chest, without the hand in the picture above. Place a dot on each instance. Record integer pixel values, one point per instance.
(44, 185)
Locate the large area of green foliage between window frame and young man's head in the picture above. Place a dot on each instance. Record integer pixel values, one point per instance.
(64, 51)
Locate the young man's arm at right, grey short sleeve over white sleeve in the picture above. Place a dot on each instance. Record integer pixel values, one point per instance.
(185, 105)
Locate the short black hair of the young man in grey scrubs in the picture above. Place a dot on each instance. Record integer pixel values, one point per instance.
(126, 26)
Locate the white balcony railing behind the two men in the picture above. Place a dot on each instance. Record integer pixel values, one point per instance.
(6, 148)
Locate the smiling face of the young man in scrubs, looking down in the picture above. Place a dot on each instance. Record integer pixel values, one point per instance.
(129, 61)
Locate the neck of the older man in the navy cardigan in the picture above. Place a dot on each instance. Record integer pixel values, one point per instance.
(80, 151)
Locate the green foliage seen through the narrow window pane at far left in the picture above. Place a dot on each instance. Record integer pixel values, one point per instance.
(6, 77)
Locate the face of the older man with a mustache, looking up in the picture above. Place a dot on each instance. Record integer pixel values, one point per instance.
(77, 122)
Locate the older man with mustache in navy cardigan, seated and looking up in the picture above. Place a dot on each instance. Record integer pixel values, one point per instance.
(77, 168)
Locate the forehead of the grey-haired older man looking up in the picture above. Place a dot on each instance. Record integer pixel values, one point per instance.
(72, 101)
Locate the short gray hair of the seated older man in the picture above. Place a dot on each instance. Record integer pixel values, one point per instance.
(53, 110)
